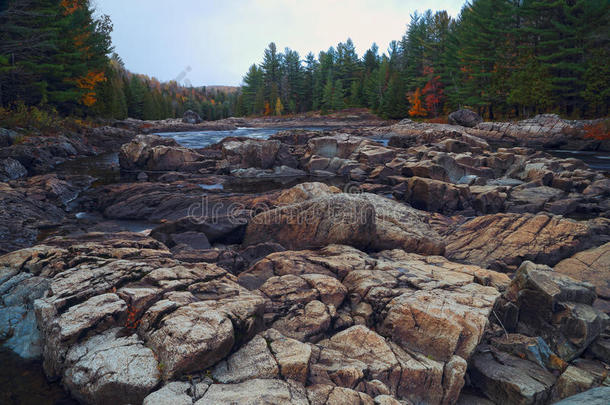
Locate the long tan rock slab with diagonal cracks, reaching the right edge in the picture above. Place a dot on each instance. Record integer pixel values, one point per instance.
(503, 241)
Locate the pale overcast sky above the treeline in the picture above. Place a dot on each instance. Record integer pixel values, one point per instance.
(213, 42)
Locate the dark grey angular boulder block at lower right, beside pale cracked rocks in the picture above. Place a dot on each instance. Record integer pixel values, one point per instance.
(557, 308)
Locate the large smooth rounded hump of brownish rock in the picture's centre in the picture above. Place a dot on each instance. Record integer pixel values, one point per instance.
(363, 221)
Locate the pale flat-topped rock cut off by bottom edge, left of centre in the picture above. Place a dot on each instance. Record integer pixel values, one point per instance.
(254, 392)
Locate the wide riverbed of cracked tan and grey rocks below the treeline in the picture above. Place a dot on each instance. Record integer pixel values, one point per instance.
(364, 262)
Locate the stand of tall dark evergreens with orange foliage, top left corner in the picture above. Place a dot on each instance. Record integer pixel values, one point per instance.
(56, 53)
